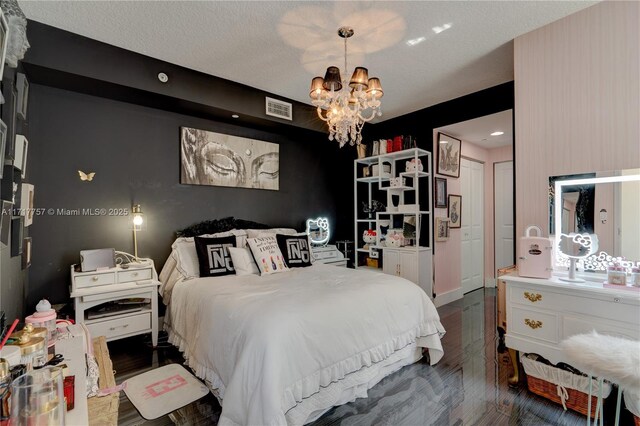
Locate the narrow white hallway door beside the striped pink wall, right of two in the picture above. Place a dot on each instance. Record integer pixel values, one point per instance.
(504, 237)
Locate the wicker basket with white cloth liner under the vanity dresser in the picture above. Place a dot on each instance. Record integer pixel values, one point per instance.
(543, 379)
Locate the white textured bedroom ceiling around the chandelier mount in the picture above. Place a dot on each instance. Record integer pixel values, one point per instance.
(278, 46)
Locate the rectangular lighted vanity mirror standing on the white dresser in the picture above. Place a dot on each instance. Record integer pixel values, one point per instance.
(604, 205)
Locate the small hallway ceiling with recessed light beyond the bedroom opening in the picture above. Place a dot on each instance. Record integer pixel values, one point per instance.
(478, 130)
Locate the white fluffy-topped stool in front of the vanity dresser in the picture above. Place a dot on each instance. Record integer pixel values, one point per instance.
(609, 358)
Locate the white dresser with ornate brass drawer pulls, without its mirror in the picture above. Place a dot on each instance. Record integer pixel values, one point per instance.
(541, 313)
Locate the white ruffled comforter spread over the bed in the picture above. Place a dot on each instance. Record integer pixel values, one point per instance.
(268, 343)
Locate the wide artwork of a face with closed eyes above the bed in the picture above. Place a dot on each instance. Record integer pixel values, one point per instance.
(215, 159)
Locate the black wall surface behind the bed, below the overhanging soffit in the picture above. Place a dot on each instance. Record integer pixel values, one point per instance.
(134, 151)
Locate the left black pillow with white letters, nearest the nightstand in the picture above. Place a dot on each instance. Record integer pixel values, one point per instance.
(213, 257)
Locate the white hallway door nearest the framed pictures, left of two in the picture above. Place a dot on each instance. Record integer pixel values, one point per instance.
(472, 224)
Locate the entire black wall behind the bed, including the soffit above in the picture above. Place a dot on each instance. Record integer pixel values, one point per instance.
(98, 108)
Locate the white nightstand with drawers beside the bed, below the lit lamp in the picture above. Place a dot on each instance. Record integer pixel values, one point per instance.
(138, 281)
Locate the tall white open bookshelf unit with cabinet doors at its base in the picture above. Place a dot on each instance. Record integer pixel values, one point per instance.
(407, 203)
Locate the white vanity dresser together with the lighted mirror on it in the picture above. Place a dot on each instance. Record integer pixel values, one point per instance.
(595, 223)
